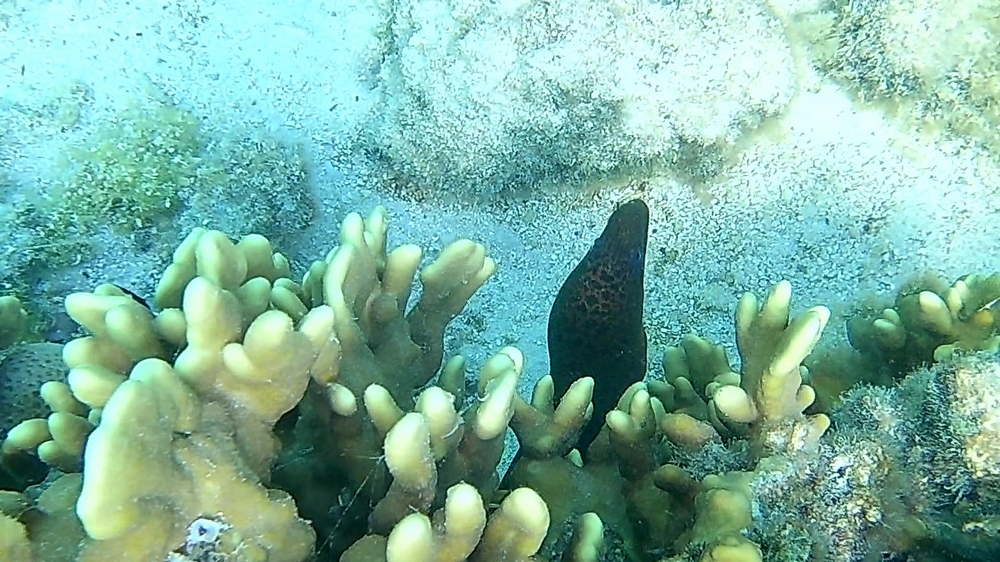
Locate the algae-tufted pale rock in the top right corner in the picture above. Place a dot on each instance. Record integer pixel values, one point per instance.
(930, 63)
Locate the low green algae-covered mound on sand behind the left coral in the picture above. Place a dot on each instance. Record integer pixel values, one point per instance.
(154, 158)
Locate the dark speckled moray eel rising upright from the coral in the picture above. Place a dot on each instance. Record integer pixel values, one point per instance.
(595, 325)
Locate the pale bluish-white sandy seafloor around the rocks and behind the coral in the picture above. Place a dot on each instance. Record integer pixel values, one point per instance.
(840, 202)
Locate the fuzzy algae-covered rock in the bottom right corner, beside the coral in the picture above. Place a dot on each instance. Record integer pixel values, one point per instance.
(937, 475)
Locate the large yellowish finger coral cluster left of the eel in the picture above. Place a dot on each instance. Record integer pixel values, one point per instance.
(181, 404)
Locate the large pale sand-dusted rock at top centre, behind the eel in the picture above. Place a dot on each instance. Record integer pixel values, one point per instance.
(484, 98)
